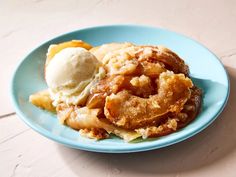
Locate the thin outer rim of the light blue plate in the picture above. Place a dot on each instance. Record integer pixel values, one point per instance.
(98, 148)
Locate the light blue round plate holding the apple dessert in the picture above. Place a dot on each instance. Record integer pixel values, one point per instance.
(206, 71)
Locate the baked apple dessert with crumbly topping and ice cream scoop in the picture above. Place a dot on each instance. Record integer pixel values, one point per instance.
(124, 89)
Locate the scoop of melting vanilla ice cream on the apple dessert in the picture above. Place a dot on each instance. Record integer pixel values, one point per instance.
(70, 74)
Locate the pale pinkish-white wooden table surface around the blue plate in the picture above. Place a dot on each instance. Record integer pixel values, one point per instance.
(24, 24)
